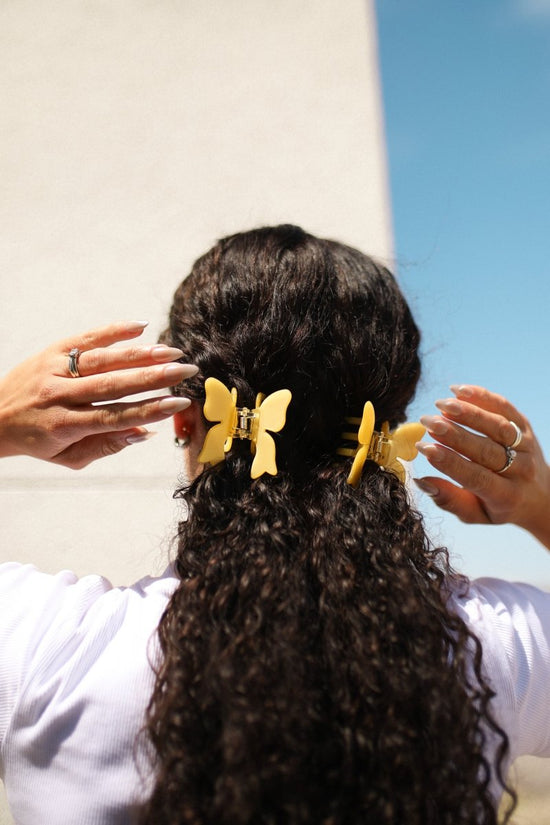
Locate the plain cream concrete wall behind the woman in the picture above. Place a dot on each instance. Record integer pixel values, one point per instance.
(135, 133)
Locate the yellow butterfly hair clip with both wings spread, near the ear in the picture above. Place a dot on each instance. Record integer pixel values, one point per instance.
(239, 422)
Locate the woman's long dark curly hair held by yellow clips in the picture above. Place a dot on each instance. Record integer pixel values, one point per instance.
(311, 673)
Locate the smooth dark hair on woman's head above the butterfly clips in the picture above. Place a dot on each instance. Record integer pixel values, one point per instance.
(277, 308)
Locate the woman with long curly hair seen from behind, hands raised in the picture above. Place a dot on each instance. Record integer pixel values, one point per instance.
(317, 661)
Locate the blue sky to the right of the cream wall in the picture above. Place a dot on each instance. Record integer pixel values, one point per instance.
(466, 90)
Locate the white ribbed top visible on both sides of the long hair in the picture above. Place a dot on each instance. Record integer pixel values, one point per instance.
(75, 680)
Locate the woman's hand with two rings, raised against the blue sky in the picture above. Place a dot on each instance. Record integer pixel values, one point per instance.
(475, 460)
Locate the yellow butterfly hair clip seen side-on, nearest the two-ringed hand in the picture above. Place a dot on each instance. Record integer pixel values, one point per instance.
(385, 448)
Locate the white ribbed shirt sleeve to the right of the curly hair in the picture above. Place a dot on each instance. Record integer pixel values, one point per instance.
(512, 621)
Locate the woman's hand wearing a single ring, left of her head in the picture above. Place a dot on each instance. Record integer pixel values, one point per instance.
(47, 413)
